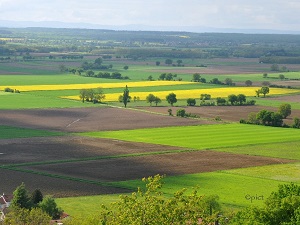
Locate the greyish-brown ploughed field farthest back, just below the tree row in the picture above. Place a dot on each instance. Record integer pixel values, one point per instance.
(89, 119)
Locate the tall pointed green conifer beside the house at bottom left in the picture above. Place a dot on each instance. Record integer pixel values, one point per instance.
(21, 198)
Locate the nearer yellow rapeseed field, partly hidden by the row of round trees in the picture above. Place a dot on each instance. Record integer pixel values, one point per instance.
(195, 93)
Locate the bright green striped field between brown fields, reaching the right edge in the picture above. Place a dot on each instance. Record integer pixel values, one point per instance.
(205, 136)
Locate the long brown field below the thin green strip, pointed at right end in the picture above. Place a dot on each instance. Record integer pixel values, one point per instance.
(143, 166)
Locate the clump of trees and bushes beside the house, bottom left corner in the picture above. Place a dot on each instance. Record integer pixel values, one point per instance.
(31, 209)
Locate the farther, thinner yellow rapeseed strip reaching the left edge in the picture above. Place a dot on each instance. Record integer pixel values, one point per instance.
(94, 85)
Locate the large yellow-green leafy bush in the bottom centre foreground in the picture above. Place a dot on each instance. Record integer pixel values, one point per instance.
(151, 207)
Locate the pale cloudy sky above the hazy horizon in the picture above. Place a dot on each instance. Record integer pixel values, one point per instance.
(236, 14)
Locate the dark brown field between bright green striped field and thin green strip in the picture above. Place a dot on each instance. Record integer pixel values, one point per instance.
(24, 150)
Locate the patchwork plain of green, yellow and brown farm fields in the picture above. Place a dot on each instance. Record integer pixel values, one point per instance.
(86, 153)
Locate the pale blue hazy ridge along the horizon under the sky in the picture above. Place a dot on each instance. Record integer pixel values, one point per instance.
(136, 27)
